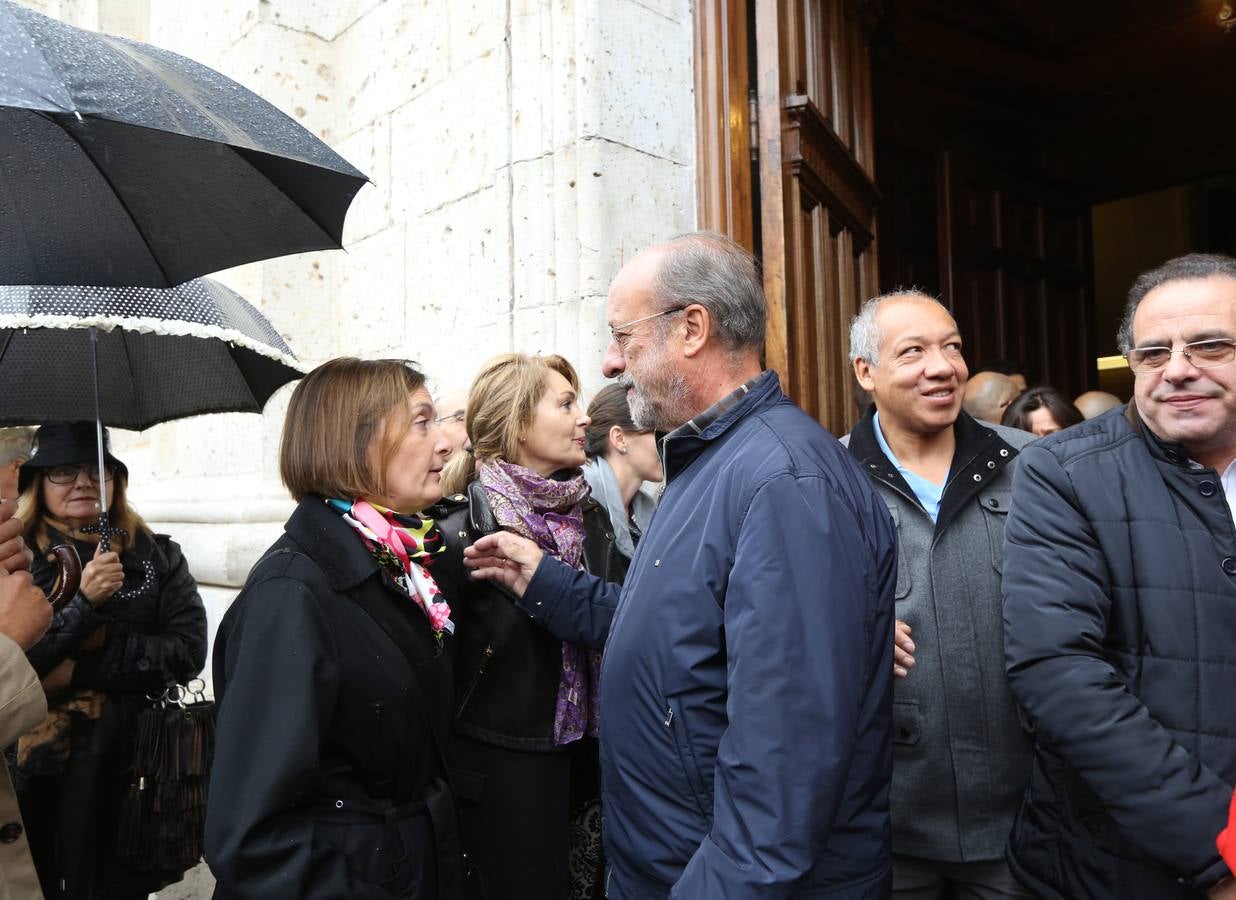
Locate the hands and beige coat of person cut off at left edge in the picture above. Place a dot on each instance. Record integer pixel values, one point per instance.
(25, 616)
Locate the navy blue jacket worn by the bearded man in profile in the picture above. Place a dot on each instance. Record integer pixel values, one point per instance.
(746, 692)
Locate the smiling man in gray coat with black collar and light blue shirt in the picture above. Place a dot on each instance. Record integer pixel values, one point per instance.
(961, 757)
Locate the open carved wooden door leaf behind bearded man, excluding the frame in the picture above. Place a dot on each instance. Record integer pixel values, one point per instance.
(818, 192)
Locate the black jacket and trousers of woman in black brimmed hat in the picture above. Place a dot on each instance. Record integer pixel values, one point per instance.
(156, 634)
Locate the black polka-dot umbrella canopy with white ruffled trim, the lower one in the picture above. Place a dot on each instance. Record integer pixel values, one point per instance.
(163, 354)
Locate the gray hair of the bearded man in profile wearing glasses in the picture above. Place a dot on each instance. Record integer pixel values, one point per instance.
(710, 269)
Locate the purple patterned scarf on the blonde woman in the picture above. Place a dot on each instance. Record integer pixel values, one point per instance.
(548, 512)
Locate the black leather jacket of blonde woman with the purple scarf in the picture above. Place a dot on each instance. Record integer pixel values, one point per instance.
(507, 666)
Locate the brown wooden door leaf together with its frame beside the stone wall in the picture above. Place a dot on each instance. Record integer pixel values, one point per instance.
(787, 169)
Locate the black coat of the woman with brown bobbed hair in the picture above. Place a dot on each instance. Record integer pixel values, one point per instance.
(333, 693)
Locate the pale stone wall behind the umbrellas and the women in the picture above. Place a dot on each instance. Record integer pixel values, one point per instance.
(520, 151)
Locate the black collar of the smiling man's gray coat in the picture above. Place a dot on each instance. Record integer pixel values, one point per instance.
(978, 459)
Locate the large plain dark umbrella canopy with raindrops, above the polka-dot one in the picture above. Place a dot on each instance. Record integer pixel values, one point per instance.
(123, 164)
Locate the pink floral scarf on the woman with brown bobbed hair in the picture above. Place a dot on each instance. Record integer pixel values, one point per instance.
(404, 546)
